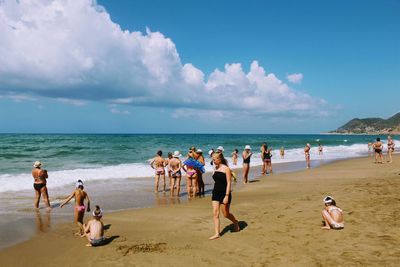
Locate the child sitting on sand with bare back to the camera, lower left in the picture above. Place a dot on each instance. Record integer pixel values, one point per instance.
(94, 229)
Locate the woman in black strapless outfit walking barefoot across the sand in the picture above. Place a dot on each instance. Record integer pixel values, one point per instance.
(221, 194)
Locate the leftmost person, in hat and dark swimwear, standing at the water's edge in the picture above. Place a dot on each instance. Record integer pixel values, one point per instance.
(40, 184)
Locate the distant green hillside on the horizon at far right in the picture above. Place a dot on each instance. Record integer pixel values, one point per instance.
(371, 126)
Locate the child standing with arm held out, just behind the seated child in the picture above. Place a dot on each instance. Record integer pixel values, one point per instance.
(79, 211)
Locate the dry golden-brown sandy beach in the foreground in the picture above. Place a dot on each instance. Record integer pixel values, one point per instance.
(280, 226)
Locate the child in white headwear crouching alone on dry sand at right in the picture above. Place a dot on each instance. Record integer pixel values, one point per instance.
(332, 215)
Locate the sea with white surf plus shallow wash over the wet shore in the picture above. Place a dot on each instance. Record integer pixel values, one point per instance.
(116, 173)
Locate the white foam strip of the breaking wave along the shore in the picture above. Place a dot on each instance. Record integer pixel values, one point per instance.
(60, 178)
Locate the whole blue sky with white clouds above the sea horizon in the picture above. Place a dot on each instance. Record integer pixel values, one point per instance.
(174, 66)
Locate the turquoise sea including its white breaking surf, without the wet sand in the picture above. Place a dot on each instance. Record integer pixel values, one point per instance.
(69, 157)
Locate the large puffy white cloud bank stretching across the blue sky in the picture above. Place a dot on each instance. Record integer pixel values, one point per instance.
(72, 51)
